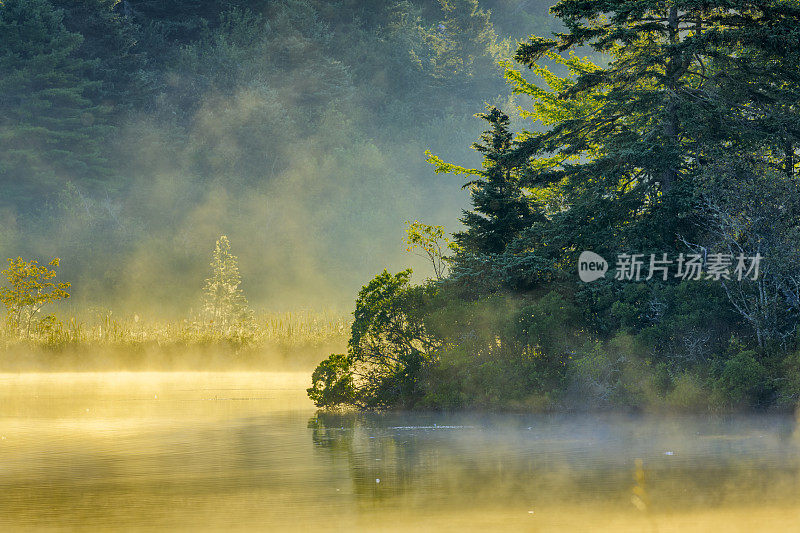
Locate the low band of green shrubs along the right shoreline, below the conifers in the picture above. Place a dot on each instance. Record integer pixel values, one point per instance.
(420, 347)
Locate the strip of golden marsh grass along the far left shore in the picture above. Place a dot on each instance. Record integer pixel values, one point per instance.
(298, 339)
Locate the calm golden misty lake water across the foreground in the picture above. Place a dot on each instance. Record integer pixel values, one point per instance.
(246, 452)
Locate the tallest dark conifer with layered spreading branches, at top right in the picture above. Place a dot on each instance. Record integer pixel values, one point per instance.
(687, 81)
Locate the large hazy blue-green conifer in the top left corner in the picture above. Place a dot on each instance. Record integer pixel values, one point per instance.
(49, 127)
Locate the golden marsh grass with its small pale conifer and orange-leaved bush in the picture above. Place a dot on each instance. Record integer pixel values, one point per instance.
(223, 333)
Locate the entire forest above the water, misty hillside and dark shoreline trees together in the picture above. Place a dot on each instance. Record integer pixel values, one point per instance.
(325, 142)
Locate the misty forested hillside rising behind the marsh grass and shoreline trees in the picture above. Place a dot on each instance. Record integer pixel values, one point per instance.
(134, 132)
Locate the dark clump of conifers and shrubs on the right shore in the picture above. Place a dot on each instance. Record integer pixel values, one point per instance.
(685, 143)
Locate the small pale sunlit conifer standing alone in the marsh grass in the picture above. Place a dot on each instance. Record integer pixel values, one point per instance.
(224, 302)
